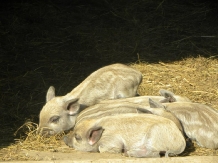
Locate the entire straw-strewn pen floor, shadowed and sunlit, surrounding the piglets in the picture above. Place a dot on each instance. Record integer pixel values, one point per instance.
(173, 43)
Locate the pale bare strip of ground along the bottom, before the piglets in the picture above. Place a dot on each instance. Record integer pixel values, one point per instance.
(78, 156)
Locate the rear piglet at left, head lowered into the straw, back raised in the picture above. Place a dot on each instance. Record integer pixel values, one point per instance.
(110, 82)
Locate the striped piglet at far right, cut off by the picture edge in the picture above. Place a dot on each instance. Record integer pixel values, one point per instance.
(199, 121)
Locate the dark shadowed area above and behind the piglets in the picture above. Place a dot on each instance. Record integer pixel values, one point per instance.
(60, 42)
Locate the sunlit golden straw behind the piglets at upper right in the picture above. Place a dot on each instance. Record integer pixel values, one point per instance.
(196, 78)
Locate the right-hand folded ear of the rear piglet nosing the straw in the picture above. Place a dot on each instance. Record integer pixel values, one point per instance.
(73, 106)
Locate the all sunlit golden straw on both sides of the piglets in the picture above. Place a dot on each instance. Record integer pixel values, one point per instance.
(195, 78)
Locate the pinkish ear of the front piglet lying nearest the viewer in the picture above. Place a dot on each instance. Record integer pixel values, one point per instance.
(94, 135)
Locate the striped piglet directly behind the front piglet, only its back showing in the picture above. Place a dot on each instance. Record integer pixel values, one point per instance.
(116, 107)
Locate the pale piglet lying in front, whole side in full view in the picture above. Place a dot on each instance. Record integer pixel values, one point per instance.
(137, 135)
